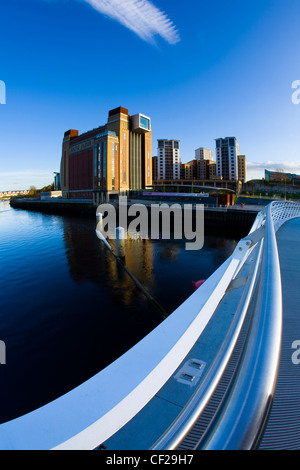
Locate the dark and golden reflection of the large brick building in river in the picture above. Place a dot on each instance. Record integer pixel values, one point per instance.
(89, 259)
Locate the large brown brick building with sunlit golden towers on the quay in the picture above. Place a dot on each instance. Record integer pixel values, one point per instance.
(113, 158)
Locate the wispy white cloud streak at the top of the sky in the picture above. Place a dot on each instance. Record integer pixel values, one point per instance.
(140, 16)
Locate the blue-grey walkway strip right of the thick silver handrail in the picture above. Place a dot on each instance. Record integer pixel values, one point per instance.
(283, 428)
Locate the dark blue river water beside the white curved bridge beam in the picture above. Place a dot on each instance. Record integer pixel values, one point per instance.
(67, 309)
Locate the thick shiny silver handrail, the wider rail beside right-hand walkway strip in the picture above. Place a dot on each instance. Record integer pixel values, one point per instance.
(243, 416)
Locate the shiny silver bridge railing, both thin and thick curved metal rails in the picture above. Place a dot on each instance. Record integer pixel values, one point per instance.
(242, 417)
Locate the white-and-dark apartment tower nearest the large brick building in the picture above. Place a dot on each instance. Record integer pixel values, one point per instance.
(168, 159)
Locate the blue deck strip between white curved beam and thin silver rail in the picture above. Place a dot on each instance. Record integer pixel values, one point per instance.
(155, 418)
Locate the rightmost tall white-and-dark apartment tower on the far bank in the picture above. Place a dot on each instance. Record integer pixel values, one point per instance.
(227, 151)
